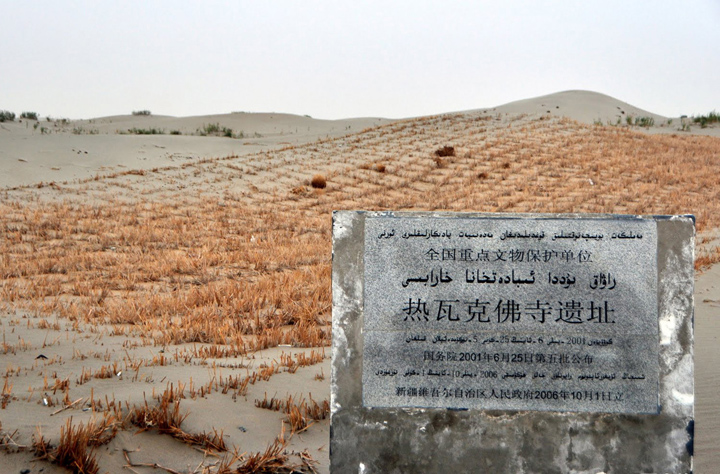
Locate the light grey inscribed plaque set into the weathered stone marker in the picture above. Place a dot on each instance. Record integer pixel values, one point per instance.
(511, 313)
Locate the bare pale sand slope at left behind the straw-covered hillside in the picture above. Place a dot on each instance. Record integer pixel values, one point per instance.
(83, 149)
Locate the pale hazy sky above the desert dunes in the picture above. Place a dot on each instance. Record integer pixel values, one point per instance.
(335, 59)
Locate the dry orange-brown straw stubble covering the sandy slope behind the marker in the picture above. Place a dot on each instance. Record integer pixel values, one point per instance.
(243, 262)
